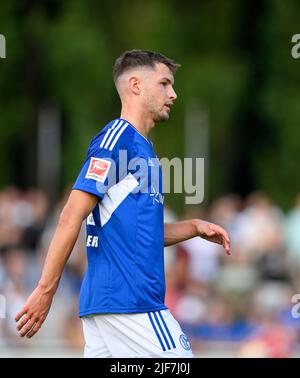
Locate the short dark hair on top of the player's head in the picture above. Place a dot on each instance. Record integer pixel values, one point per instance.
(141, 58)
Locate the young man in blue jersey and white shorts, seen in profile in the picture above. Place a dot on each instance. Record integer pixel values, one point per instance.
(122, 296)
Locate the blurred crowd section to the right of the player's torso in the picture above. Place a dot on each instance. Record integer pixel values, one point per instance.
(245, 298)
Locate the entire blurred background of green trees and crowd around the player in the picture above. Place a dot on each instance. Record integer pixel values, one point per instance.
(238, 107)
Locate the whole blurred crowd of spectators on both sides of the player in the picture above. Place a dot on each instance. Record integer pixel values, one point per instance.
(244, 299)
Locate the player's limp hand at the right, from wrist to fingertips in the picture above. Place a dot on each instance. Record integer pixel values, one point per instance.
(213, 233)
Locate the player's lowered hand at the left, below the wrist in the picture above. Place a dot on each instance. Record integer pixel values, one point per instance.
(34, 312)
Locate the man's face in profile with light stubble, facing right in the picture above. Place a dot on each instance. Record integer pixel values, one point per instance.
(158, 94)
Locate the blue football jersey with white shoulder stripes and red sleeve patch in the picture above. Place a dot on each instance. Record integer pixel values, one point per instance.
(125, 231)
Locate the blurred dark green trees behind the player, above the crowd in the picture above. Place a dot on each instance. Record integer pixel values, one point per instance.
(235, 56)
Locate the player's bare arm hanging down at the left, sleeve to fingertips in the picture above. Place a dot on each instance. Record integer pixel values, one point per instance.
(33, 314)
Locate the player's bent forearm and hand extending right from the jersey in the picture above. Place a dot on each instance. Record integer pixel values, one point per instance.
(180, 231)
